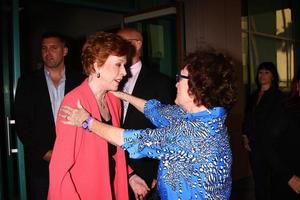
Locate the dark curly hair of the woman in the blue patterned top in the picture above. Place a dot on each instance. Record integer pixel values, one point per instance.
(211, 78)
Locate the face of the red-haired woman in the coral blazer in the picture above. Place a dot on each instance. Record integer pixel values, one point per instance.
(111, 72)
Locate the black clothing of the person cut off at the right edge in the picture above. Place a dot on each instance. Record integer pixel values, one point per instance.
(282, 148)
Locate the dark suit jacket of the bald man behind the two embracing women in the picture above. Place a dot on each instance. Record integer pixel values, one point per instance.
(149, 85)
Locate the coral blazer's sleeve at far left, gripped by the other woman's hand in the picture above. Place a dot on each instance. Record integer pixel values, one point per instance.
(63, 158)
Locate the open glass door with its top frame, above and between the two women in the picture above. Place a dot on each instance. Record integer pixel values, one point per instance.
(162, 33)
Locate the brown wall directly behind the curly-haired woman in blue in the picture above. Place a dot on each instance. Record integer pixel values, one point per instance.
(217, 23)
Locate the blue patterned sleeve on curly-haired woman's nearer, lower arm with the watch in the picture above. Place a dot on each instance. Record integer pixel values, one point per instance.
(161, 143)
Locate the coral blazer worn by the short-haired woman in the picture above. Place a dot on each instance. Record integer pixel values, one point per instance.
(79, 166)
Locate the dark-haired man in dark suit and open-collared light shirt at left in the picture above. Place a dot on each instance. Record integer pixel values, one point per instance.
(37, 101)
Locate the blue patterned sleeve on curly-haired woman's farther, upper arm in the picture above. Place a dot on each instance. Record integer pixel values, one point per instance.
(162, 115)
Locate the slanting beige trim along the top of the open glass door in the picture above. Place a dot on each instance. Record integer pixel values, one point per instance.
(148, 15)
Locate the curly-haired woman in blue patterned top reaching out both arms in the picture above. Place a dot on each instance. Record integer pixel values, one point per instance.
(191, 139)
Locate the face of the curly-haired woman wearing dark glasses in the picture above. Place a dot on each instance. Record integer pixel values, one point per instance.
(183, 98)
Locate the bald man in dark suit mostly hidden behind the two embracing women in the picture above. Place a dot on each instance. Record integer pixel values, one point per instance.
(147, 84)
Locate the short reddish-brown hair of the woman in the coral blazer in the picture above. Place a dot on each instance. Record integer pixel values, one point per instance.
(99, 46)
